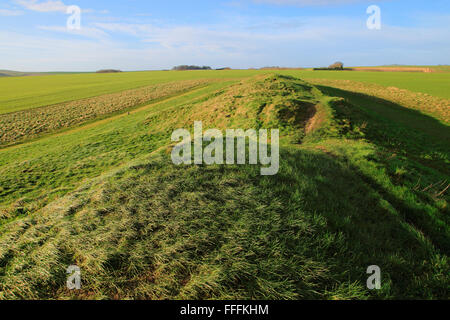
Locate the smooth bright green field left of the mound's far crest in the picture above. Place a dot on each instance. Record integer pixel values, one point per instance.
(20, 93)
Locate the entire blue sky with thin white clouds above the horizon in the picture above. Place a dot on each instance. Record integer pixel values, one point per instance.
(153, 35)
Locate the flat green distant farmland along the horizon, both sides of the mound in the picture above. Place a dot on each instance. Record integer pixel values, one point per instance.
(20, 93)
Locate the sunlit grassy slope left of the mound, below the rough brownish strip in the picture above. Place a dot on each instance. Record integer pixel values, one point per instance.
(57, 164)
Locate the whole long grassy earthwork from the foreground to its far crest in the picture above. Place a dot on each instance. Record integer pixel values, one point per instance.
(340, 203)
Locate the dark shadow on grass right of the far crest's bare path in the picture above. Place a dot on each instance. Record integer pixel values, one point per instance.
(401, 130)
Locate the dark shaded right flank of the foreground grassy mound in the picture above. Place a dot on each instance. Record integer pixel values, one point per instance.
(367, 231)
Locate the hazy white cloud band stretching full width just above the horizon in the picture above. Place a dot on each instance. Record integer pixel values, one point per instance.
(246, 42)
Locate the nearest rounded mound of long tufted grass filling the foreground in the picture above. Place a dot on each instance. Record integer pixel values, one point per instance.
(225, 232)
